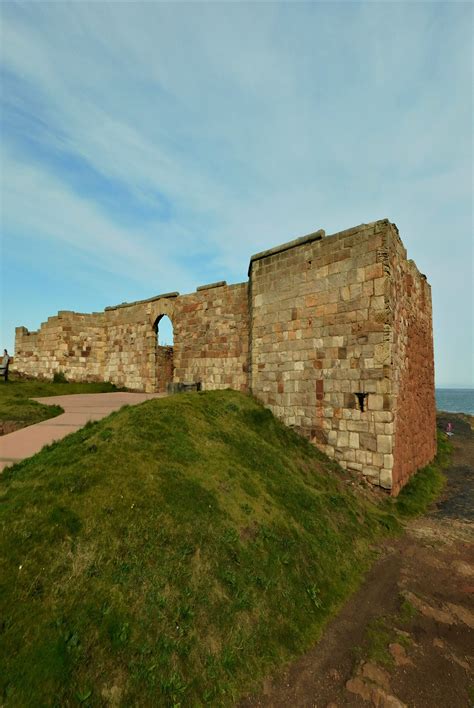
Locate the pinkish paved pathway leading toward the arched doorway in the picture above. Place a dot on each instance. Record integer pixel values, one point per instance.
(78, 410)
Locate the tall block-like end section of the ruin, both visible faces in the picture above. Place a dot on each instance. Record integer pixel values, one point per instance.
(330, 349)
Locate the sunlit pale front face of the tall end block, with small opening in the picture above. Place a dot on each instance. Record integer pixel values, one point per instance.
(320, 338)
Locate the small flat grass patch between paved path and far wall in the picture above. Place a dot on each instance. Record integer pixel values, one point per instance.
(16, 404)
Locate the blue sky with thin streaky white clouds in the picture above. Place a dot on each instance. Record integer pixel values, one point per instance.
(153, 147)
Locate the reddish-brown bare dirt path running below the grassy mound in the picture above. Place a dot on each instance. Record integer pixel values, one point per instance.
(407, 637)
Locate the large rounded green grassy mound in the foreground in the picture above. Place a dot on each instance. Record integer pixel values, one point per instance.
(172, 554)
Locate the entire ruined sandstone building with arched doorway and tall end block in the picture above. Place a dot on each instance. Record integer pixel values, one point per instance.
(332, 333)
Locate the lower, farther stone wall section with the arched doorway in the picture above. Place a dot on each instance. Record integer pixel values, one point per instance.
(211, 335)
